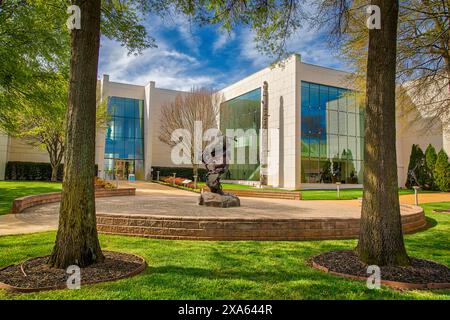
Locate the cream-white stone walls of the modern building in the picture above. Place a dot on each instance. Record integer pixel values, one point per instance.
(284, 147)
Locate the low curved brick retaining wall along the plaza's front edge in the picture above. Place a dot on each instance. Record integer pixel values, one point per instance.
(209, 228)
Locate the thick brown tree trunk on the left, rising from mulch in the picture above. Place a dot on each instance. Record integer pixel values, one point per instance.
(77, 240)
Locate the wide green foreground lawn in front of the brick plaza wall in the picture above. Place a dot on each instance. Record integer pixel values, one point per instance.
(232, 270)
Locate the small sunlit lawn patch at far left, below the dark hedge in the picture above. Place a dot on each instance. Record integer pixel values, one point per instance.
(10, 190)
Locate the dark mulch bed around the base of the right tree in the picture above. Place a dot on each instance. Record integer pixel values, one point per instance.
(421, 274)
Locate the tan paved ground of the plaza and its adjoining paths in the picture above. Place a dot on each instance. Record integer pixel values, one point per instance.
(156, 199)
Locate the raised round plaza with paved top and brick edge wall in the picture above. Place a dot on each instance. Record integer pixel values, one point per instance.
(175, 214)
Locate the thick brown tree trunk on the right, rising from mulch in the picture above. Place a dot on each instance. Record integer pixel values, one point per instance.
(381, 238)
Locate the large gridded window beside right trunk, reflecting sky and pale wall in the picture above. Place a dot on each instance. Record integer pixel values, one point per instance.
(332, 135)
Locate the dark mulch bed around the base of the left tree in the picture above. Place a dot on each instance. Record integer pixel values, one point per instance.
(35, 275)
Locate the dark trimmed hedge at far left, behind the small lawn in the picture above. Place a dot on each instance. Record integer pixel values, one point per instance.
(17, 170)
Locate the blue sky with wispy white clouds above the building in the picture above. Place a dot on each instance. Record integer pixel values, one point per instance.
(192, 56)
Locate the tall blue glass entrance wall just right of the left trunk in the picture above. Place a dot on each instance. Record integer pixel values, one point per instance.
(124, 145)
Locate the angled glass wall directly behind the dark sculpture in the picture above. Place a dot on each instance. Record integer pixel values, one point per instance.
(243, 112)
